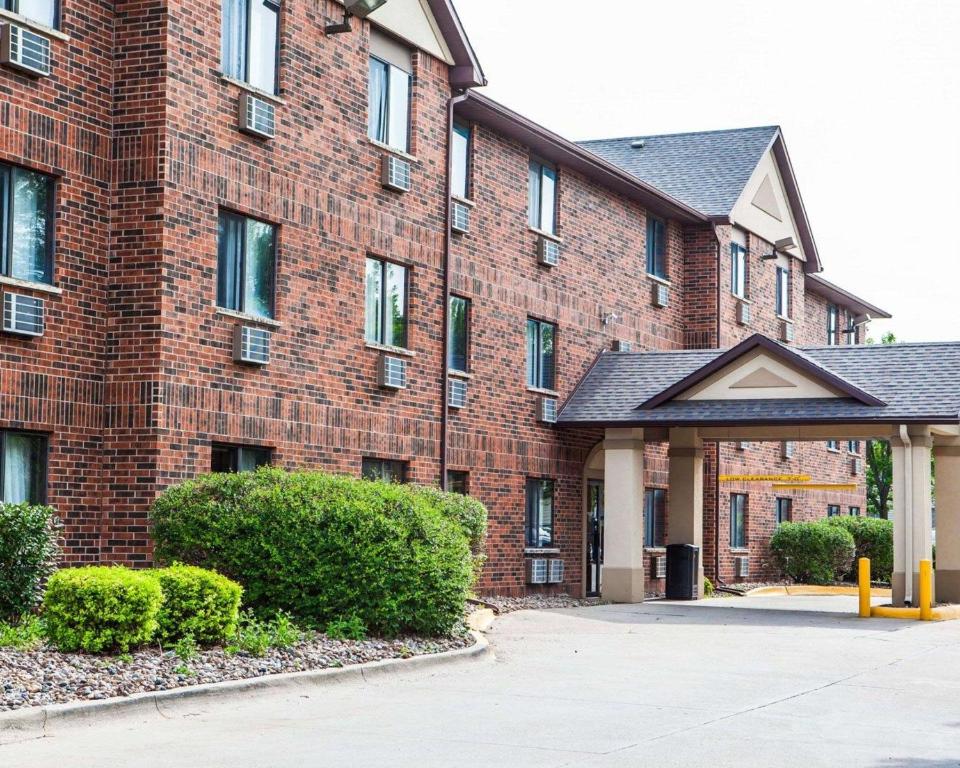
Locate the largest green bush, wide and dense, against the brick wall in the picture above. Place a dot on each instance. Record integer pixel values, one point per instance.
(320, 546)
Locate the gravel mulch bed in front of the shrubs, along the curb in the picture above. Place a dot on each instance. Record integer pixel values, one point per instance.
(45, 676)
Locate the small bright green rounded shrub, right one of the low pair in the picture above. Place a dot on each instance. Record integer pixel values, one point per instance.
(198, 603)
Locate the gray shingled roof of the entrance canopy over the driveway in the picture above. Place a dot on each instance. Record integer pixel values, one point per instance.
(918, 383)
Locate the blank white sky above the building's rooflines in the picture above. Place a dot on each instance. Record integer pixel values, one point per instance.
(867, 94)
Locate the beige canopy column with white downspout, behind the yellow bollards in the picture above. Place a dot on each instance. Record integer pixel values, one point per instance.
(910, 453)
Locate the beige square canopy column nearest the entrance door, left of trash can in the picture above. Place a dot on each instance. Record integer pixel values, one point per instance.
(623, 516)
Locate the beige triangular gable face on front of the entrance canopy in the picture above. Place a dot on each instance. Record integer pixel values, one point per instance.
(759, 376)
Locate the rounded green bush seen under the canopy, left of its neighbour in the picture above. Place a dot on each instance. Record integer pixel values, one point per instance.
(814, 552)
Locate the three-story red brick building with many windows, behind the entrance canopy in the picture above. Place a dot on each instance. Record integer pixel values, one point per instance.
(236, 233)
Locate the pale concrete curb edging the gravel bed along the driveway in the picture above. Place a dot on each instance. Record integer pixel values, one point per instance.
(35, 722)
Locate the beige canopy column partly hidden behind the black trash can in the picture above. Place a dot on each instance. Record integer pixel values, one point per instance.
(685, 525)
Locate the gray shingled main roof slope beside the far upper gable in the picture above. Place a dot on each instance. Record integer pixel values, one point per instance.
(706, 170)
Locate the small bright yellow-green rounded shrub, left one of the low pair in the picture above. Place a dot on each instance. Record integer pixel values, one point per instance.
(101, 608)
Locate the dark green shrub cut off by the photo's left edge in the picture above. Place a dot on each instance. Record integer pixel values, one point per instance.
(29, 553)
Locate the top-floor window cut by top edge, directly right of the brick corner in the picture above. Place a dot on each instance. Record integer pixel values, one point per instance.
(249, 42)
